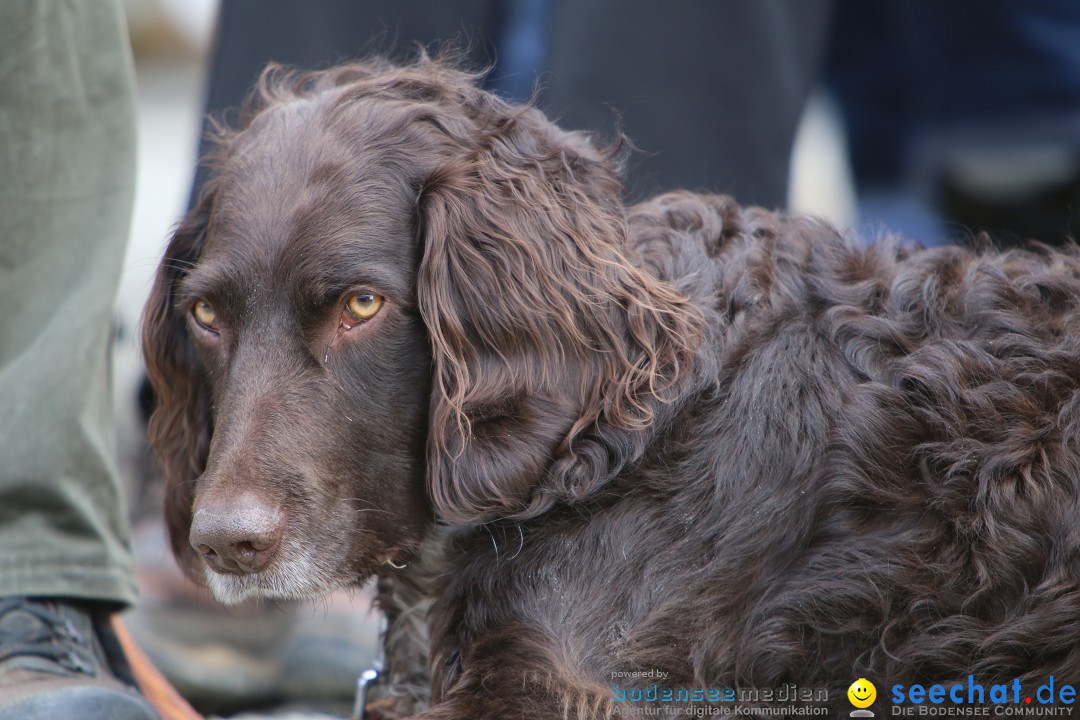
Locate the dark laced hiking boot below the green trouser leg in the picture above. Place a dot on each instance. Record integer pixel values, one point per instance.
(61, 660)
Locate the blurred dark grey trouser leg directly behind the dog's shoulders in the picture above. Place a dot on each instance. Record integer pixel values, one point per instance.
(710, 92)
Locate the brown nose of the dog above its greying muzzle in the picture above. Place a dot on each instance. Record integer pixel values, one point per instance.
(238, 536)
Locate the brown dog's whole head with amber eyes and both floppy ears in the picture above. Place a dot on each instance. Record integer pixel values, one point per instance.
(400, 298)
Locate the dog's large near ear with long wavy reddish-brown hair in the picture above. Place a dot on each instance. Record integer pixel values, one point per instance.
(552, 351)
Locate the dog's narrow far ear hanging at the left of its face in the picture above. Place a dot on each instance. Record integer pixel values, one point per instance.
(182, 424)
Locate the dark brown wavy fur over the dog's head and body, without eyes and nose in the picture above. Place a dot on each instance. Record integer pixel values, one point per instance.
(685, 437)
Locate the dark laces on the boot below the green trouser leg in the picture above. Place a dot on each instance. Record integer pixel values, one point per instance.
(55, 639)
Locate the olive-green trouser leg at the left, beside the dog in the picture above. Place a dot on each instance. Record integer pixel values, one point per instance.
(67, 170)
